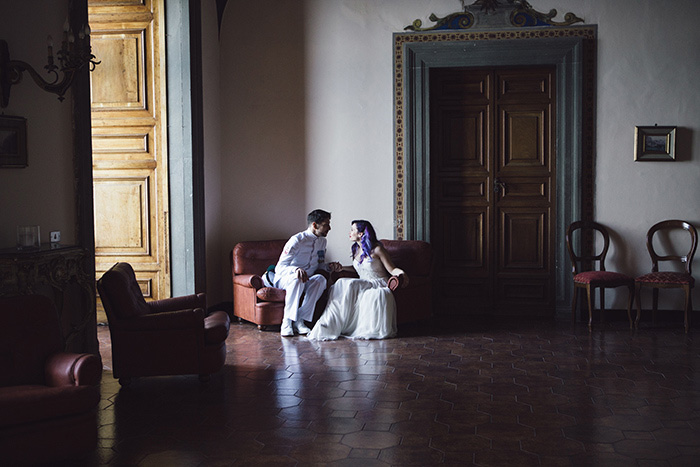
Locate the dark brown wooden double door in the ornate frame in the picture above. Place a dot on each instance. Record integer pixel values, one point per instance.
(492, 197)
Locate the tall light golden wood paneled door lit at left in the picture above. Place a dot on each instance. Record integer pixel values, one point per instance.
(130, 177)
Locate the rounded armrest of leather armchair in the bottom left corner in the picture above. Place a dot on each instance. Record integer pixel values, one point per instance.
(72, 369)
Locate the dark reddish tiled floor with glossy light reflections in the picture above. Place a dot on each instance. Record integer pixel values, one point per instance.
(485, 393)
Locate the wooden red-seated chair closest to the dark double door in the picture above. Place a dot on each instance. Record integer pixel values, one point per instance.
(594, 279)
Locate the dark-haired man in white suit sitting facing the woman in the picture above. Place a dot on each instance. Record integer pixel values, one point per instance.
(304, 254)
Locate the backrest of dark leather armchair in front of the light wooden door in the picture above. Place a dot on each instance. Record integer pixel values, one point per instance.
(120, 293)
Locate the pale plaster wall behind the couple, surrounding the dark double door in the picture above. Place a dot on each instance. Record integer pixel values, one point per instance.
(307, 116)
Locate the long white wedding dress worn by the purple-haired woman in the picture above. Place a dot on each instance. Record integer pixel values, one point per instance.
(361, 308)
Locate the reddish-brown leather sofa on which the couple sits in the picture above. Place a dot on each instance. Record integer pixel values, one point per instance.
(264, 306)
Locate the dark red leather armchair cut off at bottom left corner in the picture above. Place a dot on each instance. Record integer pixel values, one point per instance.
(48, 397)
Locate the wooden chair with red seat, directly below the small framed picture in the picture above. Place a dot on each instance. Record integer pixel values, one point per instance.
(668, 279)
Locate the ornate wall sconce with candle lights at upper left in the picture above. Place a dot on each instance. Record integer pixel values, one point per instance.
(75, 53)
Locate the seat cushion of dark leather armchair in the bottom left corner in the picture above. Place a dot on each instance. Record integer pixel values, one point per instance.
(32, 403)
